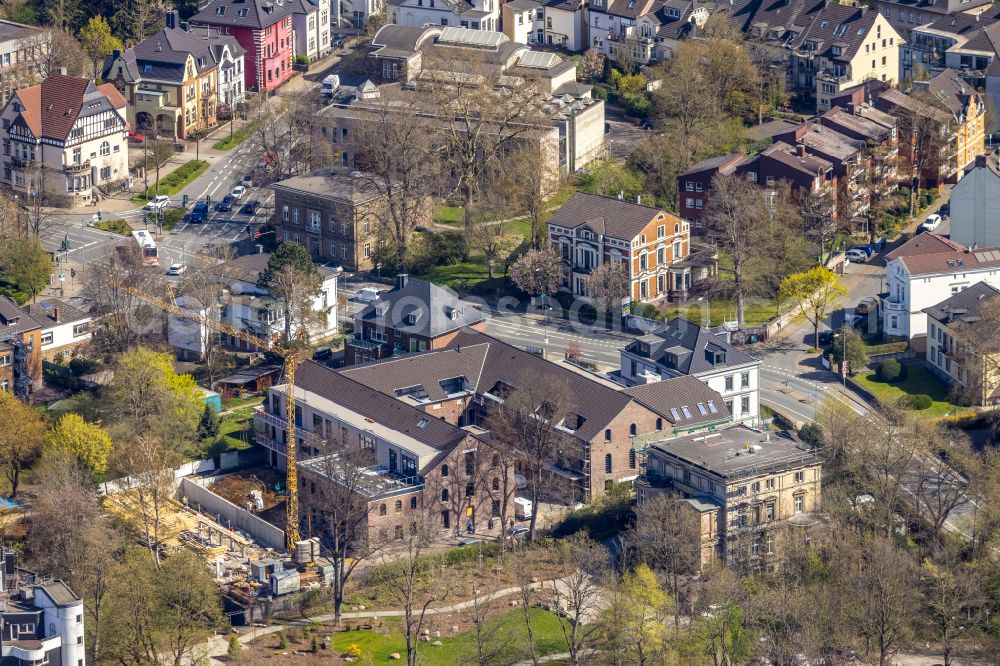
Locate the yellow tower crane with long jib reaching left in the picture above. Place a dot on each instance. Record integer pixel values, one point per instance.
(291, 356)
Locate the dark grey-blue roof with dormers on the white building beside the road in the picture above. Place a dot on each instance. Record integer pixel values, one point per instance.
(691, 345)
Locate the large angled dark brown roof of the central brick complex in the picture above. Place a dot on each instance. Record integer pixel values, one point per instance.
(484, 362)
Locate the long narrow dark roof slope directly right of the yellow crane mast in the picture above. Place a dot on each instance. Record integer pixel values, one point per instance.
(387, 411)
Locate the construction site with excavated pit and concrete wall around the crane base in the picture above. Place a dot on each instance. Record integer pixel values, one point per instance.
(235, 521)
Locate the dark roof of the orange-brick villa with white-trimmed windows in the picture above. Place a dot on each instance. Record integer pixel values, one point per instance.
(606, 215)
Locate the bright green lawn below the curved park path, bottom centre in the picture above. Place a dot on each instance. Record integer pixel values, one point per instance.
(462, 648)
